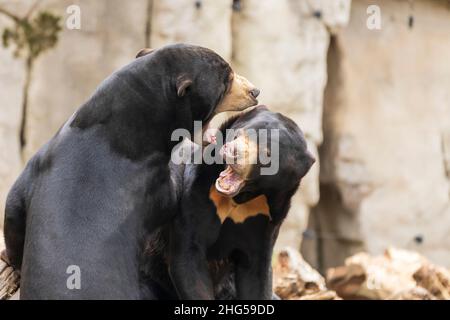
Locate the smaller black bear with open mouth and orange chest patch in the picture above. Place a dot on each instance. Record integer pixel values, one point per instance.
(230, 215)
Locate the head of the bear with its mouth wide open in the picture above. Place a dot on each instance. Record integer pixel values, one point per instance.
(265, 152)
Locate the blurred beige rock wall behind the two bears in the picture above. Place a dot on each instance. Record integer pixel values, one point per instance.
(369, 86)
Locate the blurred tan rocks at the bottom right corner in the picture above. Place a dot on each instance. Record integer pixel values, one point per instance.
(397, 274)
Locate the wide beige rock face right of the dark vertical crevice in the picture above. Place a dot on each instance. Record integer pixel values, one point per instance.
(385, 159)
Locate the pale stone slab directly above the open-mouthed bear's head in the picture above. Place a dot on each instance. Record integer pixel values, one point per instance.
(288, 62)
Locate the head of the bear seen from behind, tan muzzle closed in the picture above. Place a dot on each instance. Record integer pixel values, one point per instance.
(201, 78)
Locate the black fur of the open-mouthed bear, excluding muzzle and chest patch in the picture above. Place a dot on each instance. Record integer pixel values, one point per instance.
(197, 257)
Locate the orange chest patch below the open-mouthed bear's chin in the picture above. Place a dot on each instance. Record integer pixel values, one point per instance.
(227, 208)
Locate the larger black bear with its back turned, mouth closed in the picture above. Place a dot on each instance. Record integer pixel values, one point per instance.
(76, 217)
